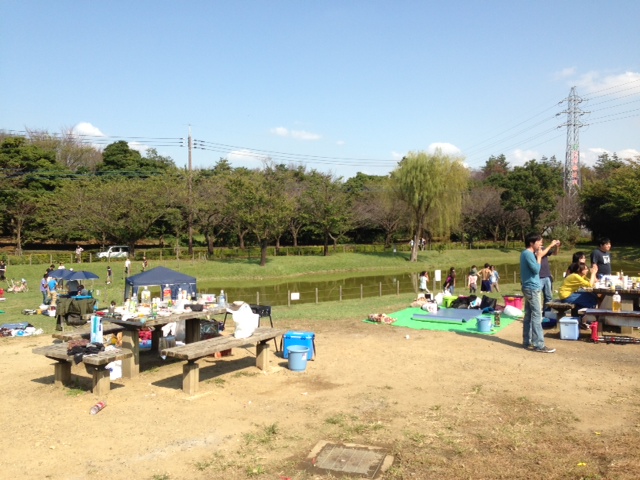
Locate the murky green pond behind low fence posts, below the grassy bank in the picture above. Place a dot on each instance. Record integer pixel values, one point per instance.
(353, 286)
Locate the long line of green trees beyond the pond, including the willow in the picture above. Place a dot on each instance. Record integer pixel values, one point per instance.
(56, 188)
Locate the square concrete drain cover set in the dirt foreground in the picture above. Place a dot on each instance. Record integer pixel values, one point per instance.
(350, 459)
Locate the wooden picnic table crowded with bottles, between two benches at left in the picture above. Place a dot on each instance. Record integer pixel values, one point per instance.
(132, 327)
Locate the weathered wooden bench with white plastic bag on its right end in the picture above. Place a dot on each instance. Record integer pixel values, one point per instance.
(193, 352)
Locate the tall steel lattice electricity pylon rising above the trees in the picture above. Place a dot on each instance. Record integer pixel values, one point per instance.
(572, 180)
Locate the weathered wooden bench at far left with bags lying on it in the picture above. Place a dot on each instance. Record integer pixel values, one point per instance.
(94, 364)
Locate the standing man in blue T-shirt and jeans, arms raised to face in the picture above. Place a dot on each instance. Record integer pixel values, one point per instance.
(530, 258)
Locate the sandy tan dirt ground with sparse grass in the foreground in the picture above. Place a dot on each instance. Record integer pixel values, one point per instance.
(369, 384)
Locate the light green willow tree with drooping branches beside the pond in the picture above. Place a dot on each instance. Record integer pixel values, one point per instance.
(432, 186)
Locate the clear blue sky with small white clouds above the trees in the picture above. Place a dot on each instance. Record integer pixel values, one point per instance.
(340, 86)
